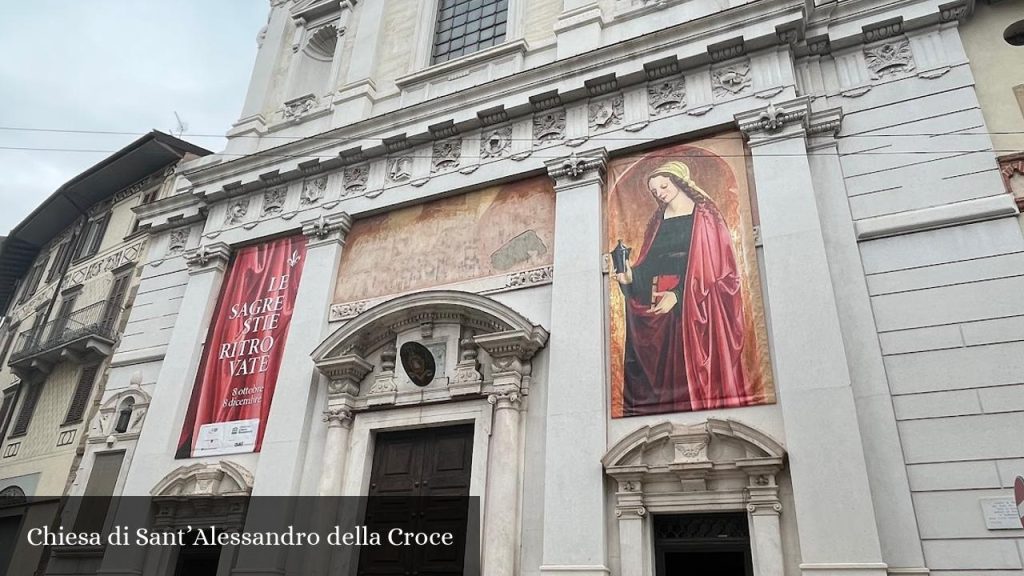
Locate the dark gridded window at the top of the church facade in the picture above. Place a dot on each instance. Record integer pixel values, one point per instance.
(465, 27)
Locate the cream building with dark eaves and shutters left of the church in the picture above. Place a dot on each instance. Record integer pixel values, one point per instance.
(69, 271)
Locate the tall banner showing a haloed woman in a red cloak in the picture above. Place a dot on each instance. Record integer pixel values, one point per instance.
(688, 318)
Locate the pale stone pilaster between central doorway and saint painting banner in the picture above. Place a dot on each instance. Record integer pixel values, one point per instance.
(578, 399)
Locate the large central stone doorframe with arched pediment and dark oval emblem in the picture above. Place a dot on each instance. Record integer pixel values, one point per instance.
(492, 372)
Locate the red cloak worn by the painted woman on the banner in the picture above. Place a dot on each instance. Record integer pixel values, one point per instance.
(691, 358)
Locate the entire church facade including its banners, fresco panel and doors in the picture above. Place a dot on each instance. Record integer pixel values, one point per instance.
(663, 284)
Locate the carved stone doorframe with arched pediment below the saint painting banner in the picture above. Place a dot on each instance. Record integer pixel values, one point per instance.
(716, 466)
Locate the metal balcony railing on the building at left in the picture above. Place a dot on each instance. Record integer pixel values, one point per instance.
(93, 321)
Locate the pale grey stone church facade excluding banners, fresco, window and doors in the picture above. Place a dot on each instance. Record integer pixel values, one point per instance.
(885, 239)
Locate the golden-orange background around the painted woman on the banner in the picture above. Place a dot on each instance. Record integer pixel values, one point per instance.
(718, 166)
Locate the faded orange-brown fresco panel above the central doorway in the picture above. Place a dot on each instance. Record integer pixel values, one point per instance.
(450, 240)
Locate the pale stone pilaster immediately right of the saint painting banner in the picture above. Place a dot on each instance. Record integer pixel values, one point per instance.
(818, 400)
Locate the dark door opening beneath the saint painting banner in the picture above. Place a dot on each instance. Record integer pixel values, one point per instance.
(714, 545)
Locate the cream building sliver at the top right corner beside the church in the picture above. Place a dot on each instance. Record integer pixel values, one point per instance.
(994, 39)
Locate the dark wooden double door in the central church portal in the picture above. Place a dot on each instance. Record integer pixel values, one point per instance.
(419, 483)
